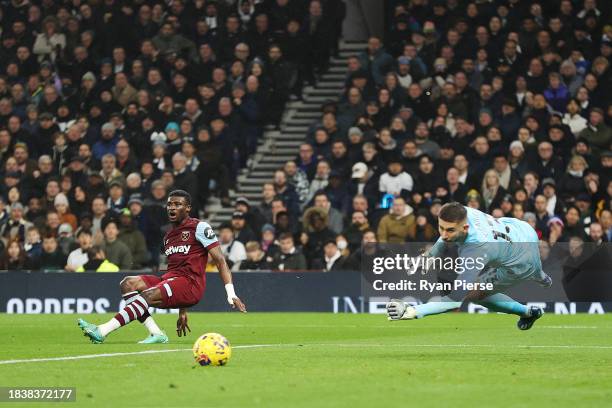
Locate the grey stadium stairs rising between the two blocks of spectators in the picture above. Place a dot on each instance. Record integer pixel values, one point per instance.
(278, 146)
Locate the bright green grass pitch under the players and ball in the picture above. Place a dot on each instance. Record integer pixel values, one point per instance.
(323, 360)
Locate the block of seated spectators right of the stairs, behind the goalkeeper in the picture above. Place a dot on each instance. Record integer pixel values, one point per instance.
(502, 105)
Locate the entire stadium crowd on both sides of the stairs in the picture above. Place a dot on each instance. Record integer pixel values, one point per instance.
(503, 105)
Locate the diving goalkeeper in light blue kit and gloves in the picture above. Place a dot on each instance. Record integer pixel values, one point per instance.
(511, 255)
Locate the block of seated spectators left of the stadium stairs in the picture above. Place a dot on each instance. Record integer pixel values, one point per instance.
(105, 106)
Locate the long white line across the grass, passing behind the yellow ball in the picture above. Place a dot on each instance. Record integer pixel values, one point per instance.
(362, 345)
